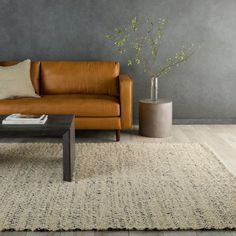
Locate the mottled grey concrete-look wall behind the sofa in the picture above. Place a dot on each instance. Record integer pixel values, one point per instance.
(205, 87)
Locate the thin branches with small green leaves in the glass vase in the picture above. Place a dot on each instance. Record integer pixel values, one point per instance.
(143, 37)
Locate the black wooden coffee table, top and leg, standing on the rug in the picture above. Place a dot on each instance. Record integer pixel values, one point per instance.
(56, 126)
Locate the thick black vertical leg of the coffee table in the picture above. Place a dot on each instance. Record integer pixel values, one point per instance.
(68, 154)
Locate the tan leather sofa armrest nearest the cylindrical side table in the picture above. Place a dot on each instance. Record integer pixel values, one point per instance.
(126, 97)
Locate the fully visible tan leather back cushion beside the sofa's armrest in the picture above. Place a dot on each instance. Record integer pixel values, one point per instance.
(74, 77)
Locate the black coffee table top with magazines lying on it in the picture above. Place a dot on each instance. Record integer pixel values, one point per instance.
(55, 125)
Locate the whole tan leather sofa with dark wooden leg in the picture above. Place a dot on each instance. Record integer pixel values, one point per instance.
(95, 92)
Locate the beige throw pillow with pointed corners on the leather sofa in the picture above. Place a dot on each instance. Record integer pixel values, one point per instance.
(15, 81)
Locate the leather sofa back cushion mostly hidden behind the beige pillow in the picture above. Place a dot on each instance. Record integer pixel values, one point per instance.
(34, 72)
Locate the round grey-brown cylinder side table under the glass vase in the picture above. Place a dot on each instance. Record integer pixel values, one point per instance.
(155, 118)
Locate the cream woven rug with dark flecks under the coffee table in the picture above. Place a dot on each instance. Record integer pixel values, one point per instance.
(116, 186)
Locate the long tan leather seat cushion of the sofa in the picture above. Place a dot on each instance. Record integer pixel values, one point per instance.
(79, 105)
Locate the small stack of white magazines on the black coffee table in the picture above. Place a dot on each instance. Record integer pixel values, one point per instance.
(25, 119)
